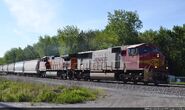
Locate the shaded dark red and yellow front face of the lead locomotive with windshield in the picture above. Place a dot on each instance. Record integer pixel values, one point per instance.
(152, 61)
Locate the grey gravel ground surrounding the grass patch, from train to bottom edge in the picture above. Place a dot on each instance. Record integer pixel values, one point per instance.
(117, 94)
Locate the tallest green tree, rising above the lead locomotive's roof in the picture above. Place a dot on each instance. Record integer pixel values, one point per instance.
(125, 24)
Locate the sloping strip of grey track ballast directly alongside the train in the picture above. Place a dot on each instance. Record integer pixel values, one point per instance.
(167, 90)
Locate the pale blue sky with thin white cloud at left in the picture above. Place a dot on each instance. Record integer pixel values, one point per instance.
(23, 21)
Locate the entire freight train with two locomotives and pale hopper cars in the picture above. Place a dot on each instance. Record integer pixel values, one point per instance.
(131, 63)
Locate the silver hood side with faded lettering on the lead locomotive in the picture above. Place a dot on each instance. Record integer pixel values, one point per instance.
(107, 59)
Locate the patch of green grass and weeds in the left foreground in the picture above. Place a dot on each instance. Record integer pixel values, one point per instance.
(14, 91)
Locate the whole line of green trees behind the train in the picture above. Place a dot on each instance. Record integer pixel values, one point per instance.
(122, 29)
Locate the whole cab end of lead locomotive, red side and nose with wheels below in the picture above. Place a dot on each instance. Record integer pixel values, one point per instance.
(144, 63)
